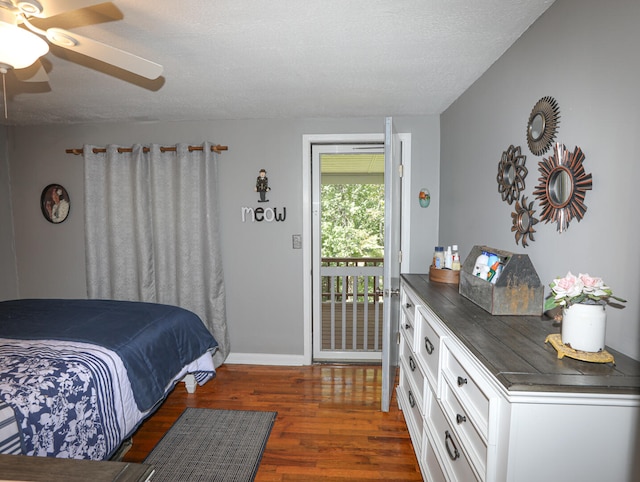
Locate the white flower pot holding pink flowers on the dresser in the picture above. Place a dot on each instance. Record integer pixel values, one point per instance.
(584, 327)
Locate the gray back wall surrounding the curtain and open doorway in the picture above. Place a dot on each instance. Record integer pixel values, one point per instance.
(263, 273)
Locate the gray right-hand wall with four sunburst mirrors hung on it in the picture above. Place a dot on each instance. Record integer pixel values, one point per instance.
(584, 53)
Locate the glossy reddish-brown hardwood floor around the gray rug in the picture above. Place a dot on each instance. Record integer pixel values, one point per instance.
(329, 425)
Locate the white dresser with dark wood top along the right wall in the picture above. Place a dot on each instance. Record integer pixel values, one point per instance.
(485, 398)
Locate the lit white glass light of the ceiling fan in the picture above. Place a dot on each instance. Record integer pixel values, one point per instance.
(19, 48)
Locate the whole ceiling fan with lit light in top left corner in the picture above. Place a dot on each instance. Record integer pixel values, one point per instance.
(22, 43)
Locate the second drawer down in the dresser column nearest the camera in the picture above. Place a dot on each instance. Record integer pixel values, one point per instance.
(474, 443)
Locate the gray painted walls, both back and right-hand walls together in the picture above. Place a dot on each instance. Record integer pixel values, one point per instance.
(583, 53)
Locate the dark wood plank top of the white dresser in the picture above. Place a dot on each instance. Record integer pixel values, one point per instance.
(513, 348)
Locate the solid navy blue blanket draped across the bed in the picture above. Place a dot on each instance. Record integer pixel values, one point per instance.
(154, 341)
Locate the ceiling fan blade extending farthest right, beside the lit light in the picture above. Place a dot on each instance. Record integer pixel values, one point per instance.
(105, 53)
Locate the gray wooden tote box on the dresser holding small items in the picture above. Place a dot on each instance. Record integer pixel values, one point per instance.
(517, 290)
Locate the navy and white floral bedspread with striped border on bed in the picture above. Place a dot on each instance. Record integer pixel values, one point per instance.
(71, 400)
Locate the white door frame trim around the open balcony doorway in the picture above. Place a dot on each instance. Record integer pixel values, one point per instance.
(307, 228)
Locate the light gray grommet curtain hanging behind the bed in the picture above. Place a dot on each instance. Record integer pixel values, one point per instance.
(152, 230)
